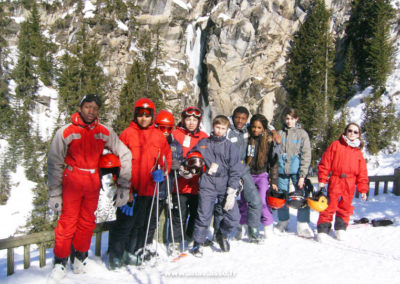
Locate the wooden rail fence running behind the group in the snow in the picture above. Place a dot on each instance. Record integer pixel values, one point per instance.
(43, 238)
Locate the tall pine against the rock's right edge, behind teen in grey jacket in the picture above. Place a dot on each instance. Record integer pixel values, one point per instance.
(309, 78)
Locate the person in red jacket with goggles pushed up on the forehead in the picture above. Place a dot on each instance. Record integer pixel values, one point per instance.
(188, 134)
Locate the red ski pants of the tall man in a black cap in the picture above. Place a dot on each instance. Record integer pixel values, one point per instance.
(77, 220)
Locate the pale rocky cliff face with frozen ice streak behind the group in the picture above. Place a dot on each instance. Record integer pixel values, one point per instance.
(217, 54)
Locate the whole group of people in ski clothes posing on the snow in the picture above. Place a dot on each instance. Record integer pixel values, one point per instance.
(226, 175)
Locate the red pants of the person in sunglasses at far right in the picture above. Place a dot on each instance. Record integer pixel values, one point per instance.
(340, 193)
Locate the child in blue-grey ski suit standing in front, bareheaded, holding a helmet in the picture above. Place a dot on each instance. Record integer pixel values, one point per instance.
(220, 182)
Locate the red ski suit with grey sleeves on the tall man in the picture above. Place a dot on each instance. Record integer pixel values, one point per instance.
(73, 173)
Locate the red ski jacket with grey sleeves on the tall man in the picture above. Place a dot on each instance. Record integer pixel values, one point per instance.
(80, 145)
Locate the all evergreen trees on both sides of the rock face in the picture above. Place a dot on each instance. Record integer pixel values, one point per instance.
(323, 72)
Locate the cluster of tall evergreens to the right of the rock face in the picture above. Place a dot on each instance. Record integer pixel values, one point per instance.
(319, 81)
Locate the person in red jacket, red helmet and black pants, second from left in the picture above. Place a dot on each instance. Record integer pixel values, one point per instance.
(149, 147)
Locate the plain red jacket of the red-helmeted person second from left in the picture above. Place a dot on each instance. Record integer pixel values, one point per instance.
(148, 146)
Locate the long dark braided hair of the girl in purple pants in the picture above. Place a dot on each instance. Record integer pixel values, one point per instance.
(266, 139)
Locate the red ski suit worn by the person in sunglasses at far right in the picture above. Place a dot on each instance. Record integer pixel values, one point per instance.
(348, 169)
